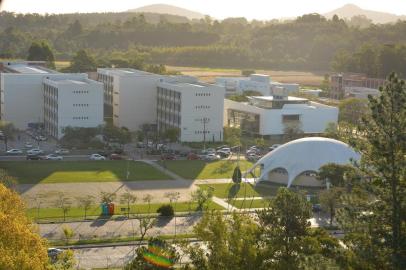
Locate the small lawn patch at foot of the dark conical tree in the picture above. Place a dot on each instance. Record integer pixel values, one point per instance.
(232, 190)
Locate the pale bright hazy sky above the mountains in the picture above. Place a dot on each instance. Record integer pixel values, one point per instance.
(258, 9)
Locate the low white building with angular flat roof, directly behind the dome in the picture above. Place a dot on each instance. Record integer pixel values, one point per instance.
(269, 115)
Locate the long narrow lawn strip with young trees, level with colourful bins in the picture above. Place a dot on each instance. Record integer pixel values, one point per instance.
(76, 212)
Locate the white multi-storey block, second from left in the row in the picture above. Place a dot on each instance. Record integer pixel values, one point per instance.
(71, 103)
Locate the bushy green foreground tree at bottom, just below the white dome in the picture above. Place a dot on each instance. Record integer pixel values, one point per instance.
(289, 240)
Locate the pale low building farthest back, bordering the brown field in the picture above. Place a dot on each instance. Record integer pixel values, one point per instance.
(255, 82)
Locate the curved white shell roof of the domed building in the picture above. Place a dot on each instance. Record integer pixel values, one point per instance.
(306, 154)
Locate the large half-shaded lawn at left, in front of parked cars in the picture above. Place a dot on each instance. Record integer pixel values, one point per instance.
(33, 172)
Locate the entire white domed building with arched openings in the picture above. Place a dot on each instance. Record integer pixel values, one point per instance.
(298, 161)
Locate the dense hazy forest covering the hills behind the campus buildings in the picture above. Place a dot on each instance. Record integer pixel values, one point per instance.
(310, 42)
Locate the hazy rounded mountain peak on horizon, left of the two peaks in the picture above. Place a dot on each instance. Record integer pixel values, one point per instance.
(168, 9)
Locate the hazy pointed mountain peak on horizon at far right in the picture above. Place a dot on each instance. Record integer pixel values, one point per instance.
(348, 11)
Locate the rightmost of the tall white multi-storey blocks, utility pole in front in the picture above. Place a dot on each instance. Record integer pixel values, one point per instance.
(192, 107)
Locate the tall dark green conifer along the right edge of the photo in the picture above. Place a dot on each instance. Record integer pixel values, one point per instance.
(373, 214)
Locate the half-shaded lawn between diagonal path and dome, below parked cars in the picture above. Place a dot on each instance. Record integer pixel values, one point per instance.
(199, 169)
